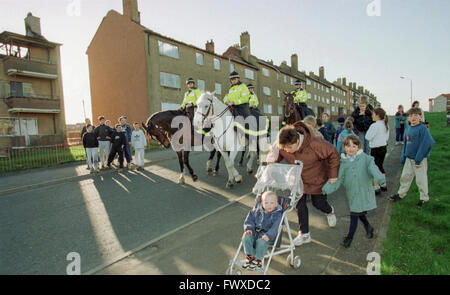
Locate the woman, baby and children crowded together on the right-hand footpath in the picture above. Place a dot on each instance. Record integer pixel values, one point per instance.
(360, 171)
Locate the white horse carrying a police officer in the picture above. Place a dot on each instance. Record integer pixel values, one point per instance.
(211, 112)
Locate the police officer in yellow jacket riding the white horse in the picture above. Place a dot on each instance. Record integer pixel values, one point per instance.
(238, 96)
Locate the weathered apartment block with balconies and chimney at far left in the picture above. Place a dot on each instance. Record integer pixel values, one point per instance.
(32, 101)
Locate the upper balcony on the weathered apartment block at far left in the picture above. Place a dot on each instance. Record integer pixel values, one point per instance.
(29, 68)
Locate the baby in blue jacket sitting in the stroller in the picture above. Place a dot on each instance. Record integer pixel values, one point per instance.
(261, 224)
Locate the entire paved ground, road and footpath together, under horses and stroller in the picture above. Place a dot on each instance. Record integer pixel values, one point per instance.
(134, 222)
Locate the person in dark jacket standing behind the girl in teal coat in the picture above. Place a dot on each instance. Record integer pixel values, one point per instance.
(363, 120)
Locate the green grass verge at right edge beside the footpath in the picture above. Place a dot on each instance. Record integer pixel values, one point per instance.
(417, 240)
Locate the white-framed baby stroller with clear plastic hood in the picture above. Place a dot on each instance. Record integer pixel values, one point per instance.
(284, 180)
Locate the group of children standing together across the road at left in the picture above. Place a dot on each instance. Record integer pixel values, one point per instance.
(112, 142)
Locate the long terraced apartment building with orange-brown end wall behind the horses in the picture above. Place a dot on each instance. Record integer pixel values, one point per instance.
(136, 71)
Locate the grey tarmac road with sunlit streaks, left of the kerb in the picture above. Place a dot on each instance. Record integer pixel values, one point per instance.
(104, 216)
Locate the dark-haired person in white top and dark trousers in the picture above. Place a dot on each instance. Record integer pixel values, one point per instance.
(378, 136)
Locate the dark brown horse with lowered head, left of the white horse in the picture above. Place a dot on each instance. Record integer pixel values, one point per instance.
(159, 127)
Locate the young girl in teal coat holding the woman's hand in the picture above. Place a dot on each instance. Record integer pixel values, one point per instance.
(356, 171)
